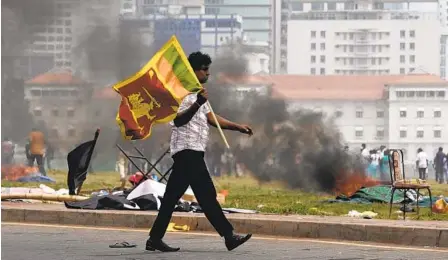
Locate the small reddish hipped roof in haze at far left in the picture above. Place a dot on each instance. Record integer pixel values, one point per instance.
(56, 78)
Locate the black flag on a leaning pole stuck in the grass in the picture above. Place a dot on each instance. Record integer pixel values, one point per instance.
(78, 163)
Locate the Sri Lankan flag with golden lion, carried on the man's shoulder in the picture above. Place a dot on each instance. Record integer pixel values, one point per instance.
(153, 94)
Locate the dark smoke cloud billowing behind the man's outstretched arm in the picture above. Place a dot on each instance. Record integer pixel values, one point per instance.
(302, 149)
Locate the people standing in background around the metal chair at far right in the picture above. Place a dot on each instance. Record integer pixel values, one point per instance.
(377, 161)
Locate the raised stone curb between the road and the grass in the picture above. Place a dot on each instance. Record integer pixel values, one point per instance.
(399, 235)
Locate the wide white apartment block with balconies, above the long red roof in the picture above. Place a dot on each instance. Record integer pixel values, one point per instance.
(364, 47)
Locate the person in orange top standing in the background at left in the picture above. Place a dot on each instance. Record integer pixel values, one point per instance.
(37, 150)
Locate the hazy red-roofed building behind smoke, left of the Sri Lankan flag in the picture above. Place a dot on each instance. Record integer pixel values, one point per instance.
(61, 101)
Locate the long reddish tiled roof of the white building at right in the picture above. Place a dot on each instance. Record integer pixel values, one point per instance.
(333, 87)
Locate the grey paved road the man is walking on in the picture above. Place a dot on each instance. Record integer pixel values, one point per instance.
(23, 242)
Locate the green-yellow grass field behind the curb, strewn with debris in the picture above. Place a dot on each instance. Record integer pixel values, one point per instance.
(267, 198)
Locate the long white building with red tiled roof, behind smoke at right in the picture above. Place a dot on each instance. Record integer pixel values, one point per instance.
(404, 111)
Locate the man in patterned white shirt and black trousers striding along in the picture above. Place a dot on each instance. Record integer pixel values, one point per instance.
(189, 136)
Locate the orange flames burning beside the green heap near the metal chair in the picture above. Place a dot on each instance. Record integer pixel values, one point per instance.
(348, 184)
